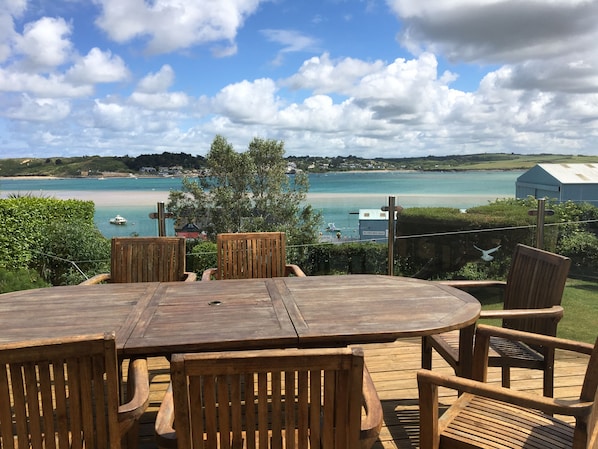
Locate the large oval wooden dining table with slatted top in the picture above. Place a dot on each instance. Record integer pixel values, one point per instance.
(163, 318)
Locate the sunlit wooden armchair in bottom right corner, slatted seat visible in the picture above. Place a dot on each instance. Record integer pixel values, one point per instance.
(487, 416)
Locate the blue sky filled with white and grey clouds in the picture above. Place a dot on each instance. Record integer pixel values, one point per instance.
(372, 78)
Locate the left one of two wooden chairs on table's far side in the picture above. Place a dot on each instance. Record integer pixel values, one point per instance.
(146, 259)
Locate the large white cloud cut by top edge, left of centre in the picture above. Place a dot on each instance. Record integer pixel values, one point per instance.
(172, 25)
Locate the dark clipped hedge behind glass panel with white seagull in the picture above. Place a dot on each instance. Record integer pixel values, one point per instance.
(440, 242)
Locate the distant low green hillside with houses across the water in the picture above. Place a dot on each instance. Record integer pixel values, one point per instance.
(181, 163)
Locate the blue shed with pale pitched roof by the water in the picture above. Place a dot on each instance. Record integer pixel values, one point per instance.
(560, 182)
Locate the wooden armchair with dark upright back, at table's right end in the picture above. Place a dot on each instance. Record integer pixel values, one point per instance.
(532, 297)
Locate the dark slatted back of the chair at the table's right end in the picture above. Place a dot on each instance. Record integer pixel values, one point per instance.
(536, 280)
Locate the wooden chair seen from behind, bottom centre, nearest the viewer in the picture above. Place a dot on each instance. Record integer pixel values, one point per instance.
(282, 398)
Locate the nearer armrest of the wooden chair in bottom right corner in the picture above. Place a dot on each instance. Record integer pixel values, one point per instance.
(429, 380)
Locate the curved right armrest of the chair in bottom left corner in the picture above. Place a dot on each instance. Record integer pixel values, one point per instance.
(137, 394)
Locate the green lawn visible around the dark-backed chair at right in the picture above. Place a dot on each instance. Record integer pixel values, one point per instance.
(580, 302)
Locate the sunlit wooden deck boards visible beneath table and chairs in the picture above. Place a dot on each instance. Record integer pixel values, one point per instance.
(393, 367)
